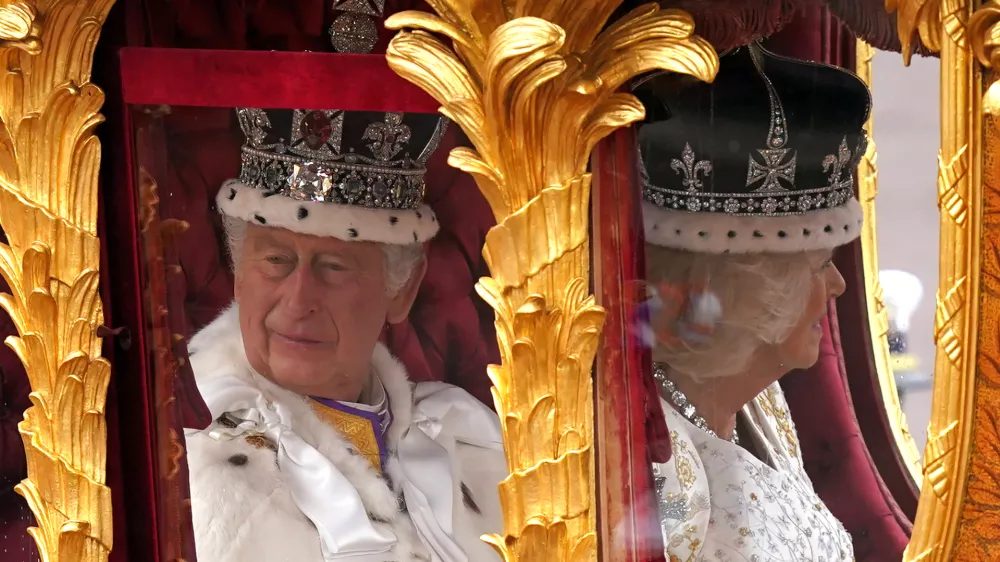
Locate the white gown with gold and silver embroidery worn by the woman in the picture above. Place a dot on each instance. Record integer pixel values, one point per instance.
(718, 502)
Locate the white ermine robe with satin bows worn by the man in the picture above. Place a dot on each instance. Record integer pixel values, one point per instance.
(273, 480)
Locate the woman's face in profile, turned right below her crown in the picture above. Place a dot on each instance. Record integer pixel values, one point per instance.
(801, 349)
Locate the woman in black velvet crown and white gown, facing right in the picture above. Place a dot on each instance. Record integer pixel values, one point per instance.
(748, 190)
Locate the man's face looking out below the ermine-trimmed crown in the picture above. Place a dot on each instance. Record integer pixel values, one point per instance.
(311, 309)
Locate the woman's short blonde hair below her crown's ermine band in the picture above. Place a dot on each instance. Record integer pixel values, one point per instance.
(762, 298)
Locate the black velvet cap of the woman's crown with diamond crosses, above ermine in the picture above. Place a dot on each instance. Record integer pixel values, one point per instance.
(739, 147)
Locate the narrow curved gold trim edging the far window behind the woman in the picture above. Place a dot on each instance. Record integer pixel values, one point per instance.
(878, 320)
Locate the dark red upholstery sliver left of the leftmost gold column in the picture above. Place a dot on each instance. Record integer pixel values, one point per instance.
(15, 517)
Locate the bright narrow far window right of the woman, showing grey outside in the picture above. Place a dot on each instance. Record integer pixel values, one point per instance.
(903, 273)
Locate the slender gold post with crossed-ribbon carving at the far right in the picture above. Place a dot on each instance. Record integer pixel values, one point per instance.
(941, 26)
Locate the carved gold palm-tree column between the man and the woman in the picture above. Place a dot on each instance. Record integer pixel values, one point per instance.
(535, 85)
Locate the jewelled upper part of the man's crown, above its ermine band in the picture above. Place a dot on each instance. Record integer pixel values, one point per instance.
(370, 159)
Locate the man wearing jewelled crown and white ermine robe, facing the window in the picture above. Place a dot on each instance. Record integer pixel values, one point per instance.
(321, 448)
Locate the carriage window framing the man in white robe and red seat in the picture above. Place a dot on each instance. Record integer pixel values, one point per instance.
(300, 268)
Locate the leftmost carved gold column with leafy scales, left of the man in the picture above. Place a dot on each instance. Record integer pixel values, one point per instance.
(49, 159)
